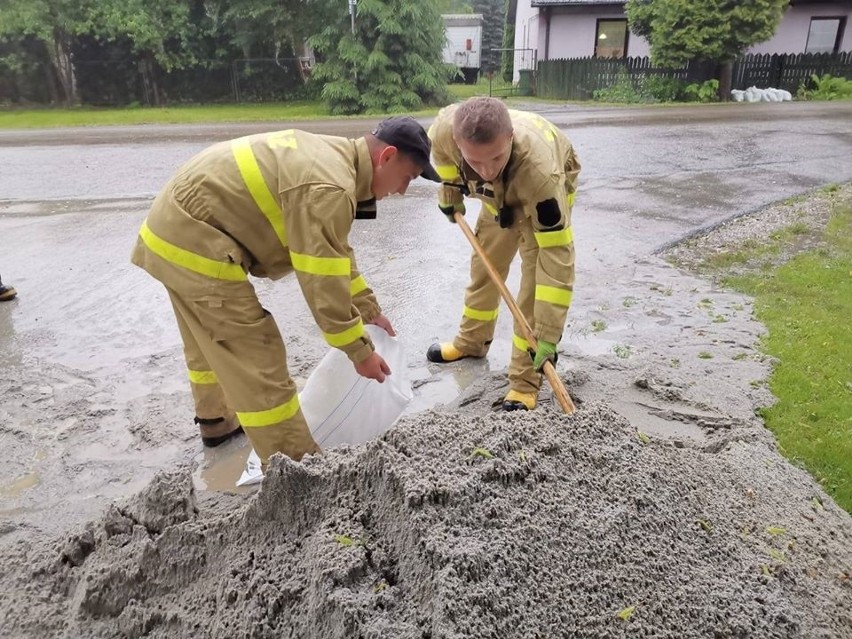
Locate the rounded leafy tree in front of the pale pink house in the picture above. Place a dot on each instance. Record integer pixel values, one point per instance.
(680, 31)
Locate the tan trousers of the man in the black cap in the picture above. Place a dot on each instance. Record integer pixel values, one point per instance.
(238, 364)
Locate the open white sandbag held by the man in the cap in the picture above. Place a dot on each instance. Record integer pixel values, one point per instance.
(341, 407)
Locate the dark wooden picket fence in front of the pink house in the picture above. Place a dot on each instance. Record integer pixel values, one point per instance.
(579, 78)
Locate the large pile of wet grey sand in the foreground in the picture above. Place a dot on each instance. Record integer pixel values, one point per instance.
(462, 525)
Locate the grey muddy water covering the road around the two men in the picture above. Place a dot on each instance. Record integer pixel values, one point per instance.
(94, 397)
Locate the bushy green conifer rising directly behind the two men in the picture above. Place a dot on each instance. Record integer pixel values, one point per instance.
(392, 62)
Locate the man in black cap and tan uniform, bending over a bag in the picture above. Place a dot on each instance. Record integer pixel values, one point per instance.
(269, 205)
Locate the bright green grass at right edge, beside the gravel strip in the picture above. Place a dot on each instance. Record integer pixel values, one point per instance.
(806, 305)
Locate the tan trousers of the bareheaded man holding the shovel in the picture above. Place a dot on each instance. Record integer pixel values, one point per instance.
(482, 297)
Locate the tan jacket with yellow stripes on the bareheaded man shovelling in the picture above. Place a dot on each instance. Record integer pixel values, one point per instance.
(538, 184)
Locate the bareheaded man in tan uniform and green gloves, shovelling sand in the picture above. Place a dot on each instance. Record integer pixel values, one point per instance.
(524, 170)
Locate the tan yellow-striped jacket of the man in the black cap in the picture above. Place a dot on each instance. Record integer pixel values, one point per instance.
(269, 204)
